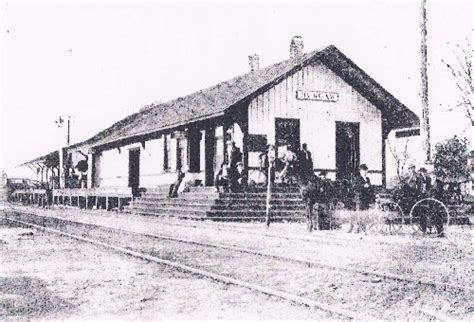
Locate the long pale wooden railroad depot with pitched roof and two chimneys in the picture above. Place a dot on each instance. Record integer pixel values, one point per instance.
(321, 98)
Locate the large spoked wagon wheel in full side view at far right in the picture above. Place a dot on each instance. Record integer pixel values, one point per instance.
(426, 212)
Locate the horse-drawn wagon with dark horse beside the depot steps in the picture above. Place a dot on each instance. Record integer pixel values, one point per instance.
(391, 210)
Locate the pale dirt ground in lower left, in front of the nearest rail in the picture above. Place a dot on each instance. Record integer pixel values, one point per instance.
(55, 278)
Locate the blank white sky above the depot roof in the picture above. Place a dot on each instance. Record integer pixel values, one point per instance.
(101, 61)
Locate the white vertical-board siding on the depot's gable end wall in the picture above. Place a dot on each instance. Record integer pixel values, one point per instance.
(318, 117)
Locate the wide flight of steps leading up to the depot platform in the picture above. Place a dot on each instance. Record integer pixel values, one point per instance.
(206, 203)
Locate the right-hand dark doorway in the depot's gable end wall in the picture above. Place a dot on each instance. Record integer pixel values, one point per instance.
(347, 149)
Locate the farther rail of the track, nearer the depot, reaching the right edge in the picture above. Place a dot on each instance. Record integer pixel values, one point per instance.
(305, 262)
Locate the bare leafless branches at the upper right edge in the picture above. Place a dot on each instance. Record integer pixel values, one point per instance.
(461, 69)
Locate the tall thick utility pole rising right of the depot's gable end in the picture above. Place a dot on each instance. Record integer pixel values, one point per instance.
(425, 126)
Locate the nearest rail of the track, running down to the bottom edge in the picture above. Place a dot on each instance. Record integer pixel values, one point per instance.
(193, 270)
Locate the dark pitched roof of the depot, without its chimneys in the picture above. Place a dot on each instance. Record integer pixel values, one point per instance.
(214, 101)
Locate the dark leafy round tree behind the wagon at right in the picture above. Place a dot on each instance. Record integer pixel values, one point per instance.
(451, 159)
